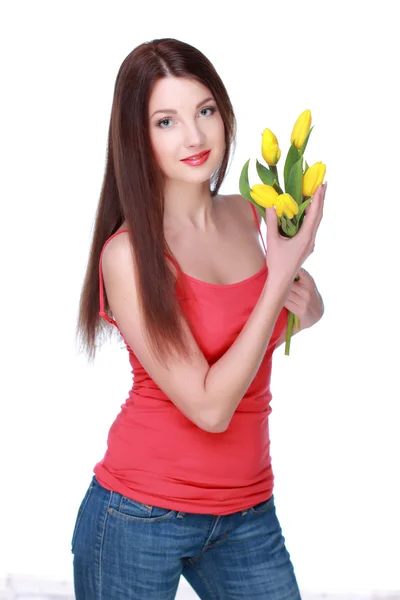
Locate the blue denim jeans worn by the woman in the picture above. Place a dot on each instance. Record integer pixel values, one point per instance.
(126, 550)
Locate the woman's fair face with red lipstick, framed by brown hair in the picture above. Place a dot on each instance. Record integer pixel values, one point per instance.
(184, 120)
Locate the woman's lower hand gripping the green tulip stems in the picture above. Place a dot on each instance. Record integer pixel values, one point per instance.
(305, 301)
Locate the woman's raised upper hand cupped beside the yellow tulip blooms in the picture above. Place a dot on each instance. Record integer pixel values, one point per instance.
(286, 255)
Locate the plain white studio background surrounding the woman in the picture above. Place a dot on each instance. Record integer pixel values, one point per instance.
(335, 419)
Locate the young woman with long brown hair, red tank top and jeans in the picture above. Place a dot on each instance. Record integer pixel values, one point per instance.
(186, 484)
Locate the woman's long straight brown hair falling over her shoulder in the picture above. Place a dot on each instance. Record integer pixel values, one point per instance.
(133, 190)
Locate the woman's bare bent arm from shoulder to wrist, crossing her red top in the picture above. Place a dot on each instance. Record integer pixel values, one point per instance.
(208, 396)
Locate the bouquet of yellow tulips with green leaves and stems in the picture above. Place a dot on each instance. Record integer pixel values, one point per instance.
(300, 183)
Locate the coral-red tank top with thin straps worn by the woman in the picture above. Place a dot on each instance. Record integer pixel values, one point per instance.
(157, 456)
